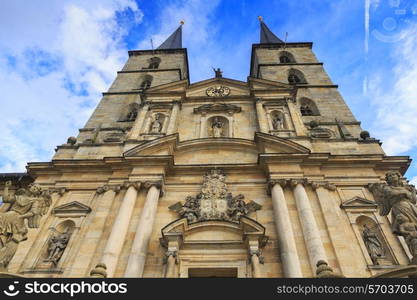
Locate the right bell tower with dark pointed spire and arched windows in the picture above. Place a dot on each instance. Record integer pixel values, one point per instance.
(322, 109)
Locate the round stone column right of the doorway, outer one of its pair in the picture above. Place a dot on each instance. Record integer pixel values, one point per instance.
(309, 226)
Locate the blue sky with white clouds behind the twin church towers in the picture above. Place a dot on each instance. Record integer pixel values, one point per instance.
(57, 56)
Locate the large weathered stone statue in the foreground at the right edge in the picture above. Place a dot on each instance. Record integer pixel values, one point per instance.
(400, 199)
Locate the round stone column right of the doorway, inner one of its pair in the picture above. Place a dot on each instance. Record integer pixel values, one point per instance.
(288, 250)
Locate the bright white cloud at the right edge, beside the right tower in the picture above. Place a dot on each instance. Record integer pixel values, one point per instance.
(396, 105)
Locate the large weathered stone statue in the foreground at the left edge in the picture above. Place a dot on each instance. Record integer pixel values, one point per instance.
(26, 204)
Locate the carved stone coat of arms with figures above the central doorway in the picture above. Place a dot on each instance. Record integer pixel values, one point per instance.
(214, 202)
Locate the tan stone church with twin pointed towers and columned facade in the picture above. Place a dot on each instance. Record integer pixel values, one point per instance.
(269, 177)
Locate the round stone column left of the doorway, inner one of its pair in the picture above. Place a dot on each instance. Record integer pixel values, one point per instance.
(137, 257)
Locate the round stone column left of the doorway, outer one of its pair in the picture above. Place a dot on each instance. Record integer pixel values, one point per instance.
(119, 229)
